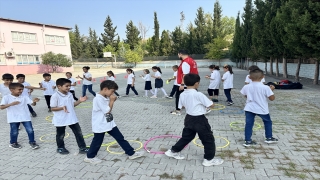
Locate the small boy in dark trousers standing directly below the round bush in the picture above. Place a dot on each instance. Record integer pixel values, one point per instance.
(49, 86)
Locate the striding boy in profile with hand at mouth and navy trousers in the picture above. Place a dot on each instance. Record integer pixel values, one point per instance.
(102, 122)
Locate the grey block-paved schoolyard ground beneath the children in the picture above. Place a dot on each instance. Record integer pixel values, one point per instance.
(296, 125)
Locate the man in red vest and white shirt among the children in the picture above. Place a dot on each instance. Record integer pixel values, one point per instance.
(187, 65)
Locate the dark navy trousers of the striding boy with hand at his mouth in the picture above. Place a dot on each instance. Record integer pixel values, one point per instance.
(116, 134)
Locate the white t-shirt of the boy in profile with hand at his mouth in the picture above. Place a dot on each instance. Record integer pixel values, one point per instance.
(99, 109)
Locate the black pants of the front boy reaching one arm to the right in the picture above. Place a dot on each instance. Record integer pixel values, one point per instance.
(76, 131)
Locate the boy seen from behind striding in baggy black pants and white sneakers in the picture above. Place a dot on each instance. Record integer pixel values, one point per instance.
(195, 122)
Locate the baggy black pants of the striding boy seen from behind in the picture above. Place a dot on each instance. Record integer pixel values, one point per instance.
(192, 126)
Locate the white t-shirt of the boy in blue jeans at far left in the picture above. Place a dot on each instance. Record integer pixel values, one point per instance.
(19, 112)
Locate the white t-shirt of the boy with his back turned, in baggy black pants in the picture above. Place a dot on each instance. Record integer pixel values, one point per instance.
(195, 102)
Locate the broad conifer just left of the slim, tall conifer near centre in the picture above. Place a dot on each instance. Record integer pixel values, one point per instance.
(132, 34)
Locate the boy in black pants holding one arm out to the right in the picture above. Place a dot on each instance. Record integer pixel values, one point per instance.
(62, 105)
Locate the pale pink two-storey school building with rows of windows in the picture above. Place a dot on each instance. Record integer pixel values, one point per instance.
(22, 43)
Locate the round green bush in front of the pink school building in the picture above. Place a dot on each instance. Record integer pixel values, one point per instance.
(55, 60)
